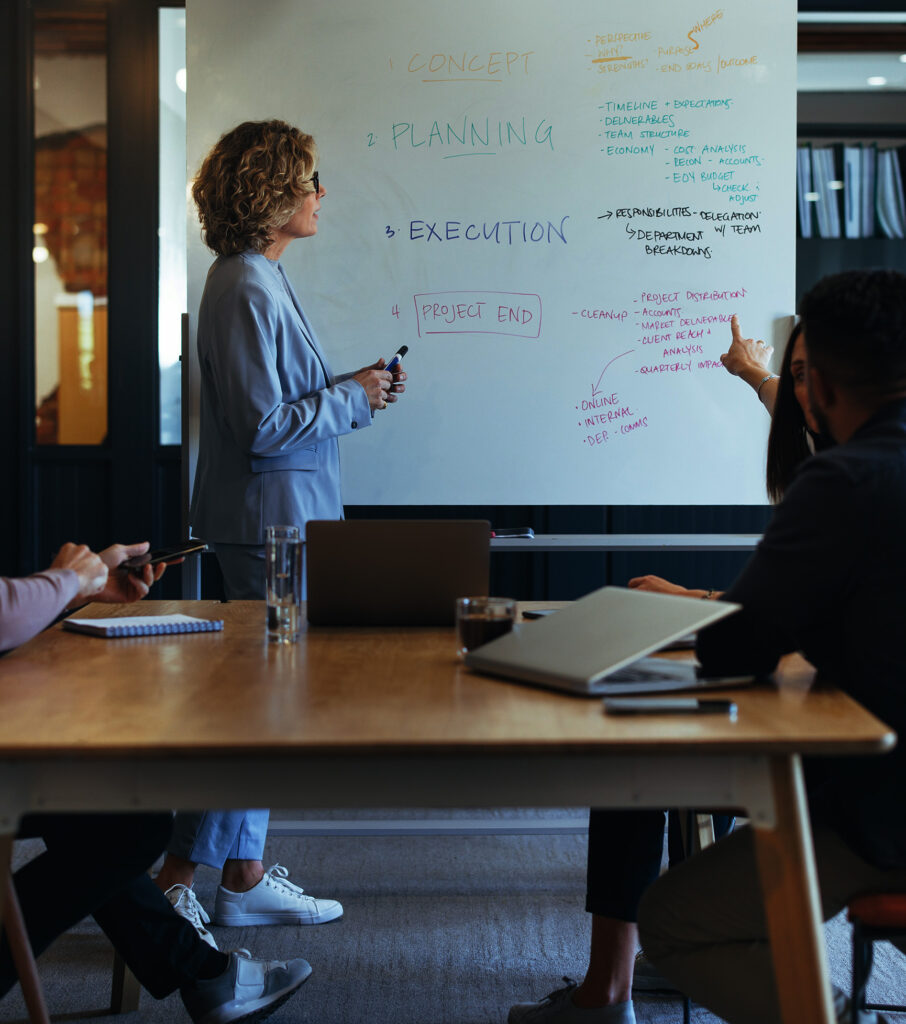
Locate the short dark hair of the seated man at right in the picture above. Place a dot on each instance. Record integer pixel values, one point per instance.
(855, 327)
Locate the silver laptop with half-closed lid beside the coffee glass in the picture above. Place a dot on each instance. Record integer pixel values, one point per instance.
(597, 646)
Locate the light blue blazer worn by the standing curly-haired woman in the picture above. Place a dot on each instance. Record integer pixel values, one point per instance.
(271, 409)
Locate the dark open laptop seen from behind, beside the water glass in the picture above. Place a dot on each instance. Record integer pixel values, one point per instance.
(394, 572)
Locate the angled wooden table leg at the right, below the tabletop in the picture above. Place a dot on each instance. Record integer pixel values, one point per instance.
(793, 906)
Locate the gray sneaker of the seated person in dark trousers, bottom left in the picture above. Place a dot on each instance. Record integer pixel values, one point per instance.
(248, 991)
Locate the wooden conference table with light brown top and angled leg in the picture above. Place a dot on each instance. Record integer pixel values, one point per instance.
(389, 718)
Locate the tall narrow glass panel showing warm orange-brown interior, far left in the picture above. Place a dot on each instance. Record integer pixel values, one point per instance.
(70, 248)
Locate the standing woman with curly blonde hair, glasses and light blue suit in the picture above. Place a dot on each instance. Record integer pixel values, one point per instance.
(272, 411)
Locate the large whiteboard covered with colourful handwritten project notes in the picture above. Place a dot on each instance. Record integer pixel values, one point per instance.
(557, 207)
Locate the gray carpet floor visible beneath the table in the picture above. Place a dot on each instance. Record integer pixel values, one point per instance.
(447, 930)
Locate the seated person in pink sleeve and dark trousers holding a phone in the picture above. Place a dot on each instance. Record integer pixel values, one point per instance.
(162, 950)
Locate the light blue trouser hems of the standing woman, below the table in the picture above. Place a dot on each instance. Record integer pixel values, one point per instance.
(213, 837)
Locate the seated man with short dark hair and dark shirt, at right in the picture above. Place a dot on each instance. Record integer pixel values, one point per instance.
(826, 580)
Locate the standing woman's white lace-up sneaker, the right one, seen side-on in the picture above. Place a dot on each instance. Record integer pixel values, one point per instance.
(274, 902)
